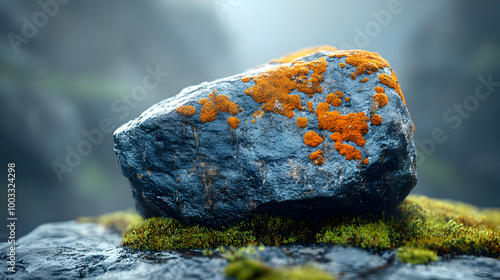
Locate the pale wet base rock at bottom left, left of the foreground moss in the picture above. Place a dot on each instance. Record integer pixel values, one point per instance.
(69, 250)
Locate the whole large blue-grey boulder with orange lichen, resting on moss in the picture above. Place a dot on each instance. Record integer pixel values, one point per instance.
(325, 134)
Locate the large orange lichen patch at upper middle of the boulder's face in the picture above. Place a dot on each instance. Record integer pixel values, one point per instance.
(273, 87)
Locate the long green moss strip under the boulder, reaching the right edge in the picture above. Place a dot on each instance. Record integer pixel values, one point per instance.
(437, 225)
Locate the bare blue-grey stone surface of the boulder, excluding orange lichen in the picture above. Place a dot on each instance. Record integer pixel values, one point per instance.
(212, 174)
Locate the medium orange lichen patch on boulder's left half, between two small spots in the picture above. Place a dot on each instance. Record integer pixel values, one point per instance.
(214, 104)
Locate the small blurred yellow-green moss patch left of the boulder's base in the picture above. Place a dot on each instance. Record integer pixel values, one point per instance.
(118, 221)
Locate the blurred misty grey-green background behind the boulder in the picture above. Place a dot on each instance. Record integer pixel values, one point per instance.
(68, 66)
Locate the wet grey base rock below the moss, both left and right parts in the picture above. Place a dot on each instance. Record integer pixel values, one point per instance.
(68, 250)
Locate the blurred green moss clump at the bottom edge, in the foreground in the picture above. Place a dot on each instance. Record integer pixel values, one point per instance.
(250, 269)
